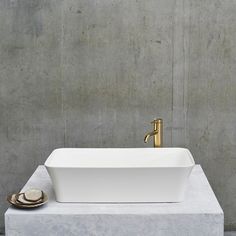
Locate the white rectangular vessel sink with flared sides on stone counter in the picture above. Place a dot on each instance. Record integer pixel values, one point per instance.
(120, 174)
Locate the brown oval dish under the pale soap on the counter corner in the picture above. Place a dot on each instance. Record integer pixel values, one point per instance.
(20, 201)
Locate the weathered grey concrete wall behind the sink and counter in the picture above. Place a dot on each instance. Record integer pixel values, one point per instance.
(93, 73)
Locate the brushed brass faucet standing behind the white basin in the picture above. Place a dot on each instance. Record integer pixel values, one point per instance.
(157, 133)
